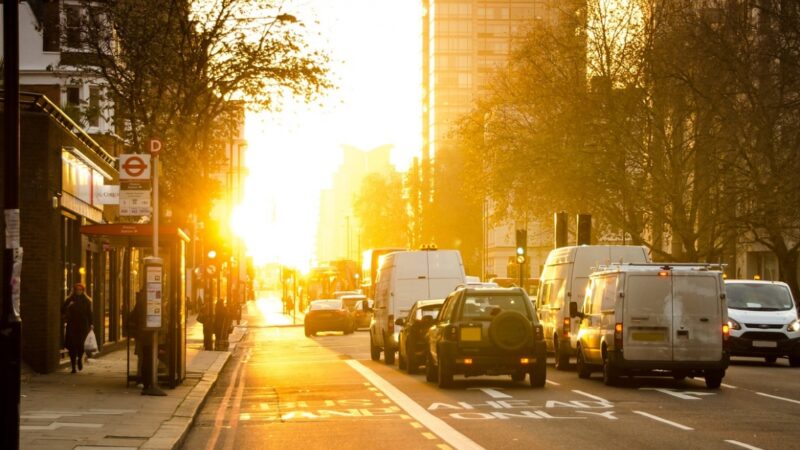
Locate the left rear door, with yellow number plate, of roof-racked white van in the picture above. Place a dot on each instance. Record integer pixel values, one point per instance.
(647, 318)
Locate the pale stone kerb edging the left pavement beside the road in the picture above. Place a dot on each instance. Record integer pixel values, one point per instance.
(172, 433)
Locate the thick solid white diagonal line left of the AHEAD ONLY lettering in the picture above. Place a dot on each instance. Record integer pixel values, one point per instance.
(433, 423)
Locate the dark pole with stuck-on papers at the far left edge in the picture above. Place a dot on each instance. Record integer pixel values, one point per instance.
(10, 320)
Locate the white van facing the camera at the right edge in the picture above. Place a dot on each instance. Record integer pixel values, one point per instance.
(763, 319)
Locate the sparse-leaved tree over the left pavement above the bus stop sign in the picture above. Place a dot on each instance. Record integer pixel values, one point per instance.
(184, 71)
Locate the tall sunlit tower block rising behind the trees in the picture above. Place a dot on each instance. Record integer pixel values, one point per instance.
(464, 43)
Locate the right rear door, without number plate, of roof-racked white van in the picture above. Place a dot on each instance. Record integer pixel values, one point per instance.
(698, 318)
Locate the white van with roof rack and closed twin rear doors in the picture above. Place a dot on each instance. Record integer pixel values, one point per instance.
(654, 319)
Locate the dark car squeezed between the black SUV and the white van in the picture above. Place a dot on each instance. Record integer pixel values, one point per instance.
(413, 330)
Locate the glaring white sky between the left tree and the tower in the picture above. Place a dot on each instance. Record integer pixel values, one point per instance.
(375, 52)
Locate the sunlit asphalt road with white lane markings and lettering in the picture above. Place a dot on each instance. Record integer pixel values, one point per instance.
(281, 390)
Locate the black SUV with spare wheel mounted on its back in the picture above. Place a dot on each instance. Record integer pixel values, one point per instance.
(486, 331)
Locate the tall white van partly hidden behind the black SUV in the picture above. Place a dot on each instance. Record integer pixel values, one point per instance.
(403, 278)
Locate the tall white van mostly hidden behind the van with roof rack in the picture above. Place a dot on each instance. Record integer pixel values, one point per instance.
(564, 276)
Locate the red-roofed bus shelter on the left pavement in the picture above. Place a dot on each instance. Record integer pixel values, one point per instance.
(134, 242)
